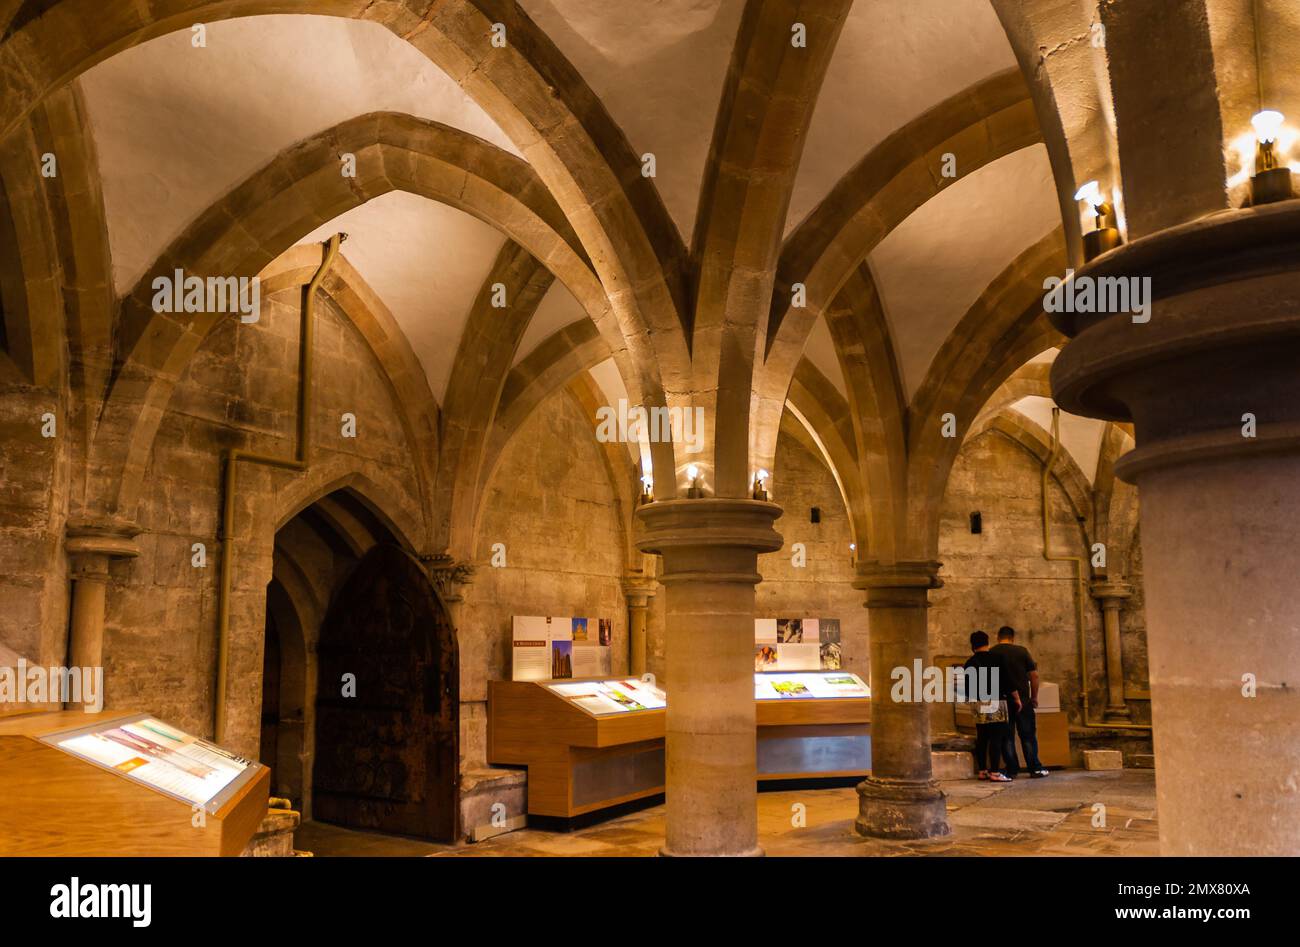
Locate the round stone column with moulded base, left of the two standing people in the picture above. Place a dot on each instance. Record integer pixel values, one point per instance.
(900, 799)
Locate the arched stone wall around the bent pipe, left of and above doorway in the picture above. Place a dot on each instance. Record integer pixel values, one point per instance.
(240, 391)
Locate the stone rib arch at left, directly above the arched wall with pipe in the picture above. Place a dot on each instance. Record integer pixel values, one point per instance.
(276, 207)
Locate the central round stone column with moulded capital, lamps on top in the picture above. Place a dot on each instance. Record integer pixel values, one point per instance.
(710, 568)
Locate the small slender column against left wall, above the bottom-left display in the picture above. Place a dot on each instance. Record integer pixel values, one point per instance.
(90, 550)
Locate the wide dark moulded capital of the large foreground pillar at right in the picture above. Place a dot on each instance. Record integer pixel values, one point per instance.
(1221, 341)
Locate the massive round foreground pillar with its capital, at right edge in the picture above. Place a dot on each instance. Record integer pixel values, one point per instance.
(1212, 387)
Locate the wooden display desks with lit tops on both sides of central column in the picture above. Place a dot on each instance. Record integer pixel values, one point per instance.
(591, 745)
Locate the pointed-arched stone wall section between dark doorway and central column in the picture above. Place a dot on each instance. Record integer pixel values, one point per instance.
(552, 505)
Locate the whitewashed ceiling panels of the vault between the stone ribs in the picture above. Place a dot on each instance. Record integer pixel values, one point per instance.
(179, 127)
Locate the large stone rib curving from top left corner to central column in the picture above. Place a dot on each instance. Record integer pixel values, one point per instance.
(528, 88)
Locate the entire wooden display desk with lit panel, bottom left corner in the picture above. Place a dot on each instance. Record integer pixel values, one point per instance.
(120, 785)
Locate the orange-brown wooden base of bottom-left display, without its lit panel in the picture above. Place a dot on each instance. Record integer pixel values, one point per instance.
(55, 803)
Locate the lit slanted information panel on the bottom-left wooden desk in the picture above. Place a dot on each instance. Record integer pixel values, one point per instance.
(168, 760)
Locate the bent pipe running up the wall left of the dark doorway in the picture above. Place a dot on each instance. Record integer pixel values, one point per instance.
(298, 464)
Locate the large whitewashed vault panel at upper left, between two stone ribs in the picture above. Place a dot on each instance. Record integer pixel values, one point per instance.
(177, 127)
